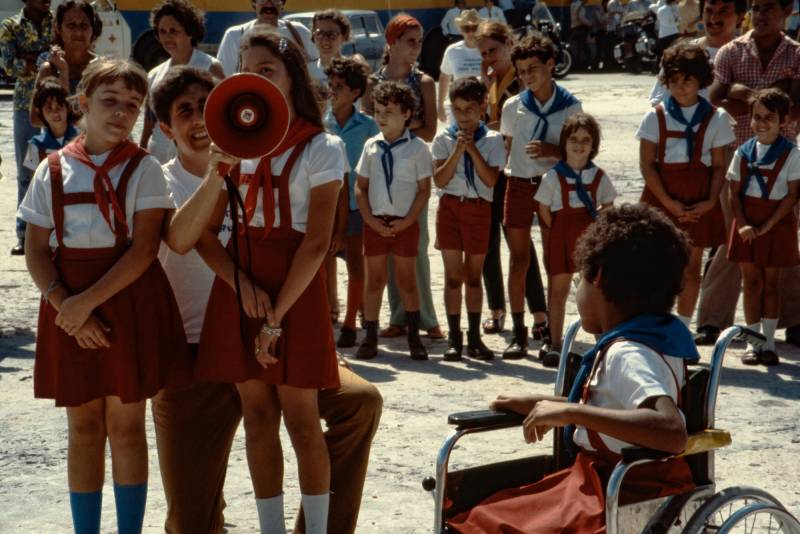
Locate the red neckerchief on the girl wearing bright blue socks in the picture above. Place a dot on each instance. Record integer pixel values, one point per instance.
(104, 193)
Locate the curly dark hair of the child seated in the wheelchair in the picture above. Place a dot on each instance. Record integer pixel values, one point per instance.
(639, 255)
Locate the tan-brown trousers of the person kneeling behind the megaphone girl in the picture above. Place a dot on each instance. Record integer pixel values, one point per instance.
(194, 432)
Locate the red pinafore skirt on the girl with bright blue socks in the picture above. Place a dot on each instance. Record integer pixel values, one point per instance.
(148, 346)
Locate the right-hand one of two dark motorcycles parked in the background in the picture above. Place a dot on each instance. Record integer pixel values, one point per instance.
(636, 42)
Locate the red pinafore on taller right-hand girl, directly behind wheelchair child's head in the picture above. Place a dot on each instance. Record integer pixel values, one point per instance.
(688, 183)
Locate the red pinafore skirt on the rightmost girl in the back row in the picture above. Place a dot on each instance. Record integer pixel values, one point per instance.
(777, 248)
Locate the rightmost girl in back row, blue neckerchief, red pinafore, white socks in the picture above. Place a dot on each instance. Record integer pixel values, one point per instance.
(764, 189)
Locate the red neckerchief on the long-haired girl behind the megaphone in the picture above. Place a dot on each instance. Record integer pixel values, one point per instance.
(300, 130)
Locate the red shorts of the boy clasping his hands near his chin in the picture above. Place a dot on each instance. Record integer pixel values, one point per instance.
(463, 224)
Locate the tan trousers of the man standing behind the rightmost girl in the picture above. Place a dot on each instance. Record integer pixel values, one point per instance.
(720, 287)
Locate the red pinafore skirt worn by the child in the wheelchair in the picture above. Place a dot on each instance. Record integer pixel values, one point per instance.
(573, 500)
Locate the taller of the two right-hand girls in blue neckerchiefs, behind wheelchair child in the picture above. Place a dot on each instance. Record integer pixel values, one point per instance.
(682, 159)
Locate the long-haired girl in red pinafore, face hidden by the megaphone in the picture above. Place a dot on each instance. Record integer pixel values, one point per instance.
(280, 352)
